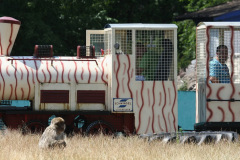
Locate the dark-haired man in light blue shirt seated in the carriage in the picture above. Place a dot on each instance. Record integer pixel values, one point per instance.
(218, 70)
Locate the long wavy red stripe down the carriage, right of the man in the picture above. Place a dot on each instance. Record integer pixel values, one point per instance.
(232, 73)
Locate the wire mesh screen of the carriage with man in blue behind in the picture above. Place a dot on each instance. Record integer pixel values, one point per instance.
(220, 51)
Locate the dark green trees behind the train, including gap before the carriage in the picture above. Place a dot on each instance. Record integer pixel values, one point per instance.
(63, 23)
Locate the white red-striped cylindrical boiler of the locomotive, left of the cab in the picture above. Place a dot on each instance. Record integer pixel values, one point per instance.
(24, 77)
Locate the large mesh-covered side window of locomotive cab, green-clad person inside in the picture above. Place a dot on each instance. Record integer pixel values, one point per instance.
(154, 55)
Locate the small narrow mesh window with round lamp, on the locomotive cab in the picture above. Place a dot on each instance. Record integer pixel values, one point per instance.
(123, 42)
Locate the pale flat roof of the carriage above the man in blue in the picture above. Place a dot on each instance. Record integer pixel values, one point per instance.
(218, 24)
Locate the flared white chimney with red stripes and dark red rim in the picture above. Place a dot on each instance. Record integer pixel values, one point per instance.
(8, 32)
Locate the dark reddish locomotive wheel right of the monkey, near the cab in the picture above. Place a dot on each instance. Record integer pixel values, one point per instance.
(98, 127)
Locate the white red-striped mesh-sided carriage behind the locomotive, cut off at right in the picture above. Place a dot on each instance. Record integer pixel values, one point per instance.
(217, 104)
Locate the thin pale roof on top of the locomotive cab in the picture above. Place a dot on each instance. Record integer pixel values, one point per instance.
(141, 25)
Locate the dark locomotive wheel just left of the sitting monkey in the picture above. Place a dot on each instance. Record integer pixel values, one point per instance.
(33, 127)
